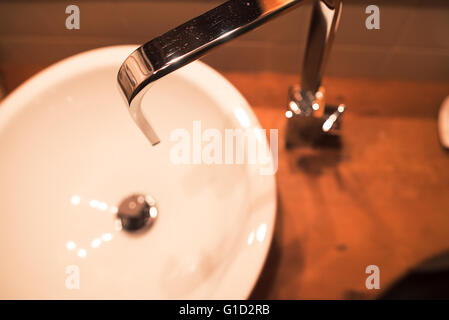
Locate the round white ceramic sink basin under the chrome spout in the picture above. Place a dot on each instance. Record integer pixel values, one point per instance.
(70, 153)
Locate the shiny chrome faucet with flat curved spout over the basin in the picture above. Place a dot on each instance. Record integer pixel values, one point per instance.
(193, 39)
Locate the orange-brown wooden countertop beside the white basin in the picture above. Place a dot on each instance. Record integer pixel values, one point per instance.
(382, 198)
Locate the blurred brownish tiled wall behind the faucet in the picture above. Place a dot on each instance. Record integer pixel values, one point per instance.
(412, 43)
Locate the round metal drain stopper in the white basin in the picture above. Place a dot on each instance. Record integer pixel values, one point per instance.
(137, 212)
